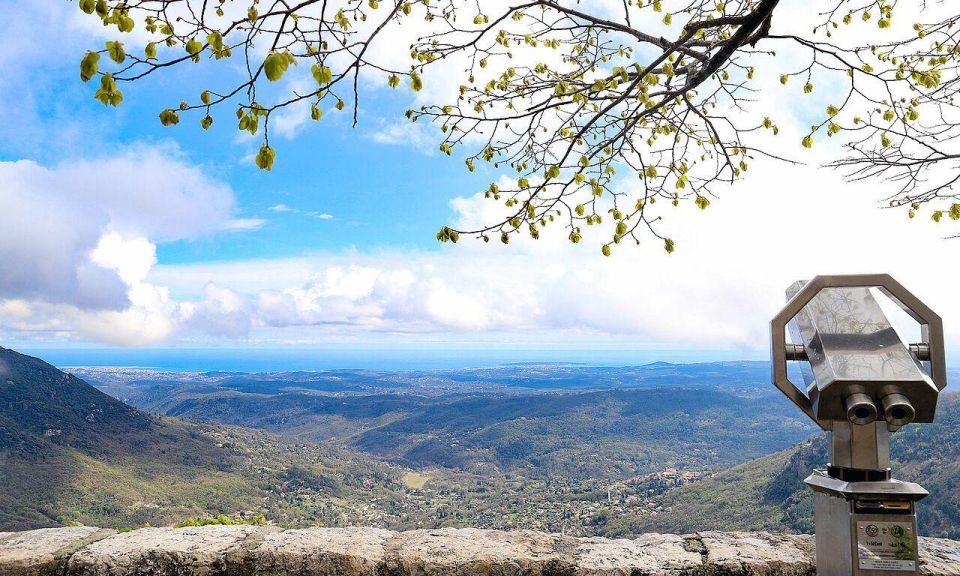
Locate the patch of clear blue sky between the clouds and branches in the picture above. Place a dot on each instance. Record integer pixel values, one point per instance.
(377, 193)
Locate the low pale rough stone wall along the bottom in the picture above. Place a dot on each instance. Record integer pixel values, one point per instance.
(269, 551)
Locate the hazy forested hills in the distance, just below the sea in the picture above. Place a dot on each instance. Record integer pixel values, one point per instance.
(577, 423)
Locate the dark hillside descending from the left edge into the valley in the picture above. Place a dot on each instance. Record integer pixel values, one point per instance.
(70, 453)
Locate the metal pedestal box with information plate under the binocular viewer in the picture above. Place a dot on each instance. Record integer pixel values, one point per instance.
(866, 528)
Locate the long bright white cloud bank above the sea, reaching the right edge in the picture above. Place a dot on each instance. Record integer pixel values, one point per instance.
(719, 290)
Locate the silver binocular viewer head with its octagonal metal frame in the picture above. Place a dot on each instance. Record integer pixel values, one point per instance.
(859, 369)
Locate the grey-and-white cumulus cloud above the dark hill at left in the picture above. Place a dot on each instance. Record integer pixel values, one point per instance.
(78, 239)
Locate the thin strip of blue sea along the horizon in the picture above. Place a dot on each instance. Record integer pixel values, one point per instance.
(293, 359)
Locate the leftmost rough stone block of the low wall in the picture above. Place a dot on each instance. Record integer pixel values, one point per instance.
(43, 552)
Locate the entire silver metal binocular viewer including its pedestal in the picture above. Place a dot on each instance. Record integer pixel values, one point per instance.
(863, 382)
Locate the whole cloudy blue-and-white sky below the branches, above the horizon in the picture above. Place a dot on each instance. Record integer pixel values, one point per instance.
(116, 232)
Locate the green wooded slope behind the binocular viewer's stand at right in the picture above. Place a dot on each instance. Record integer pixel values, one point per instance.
(768, 493)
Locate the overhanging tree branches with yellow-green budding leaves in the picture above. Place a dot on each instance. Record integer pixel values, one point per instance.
(563, 96)
